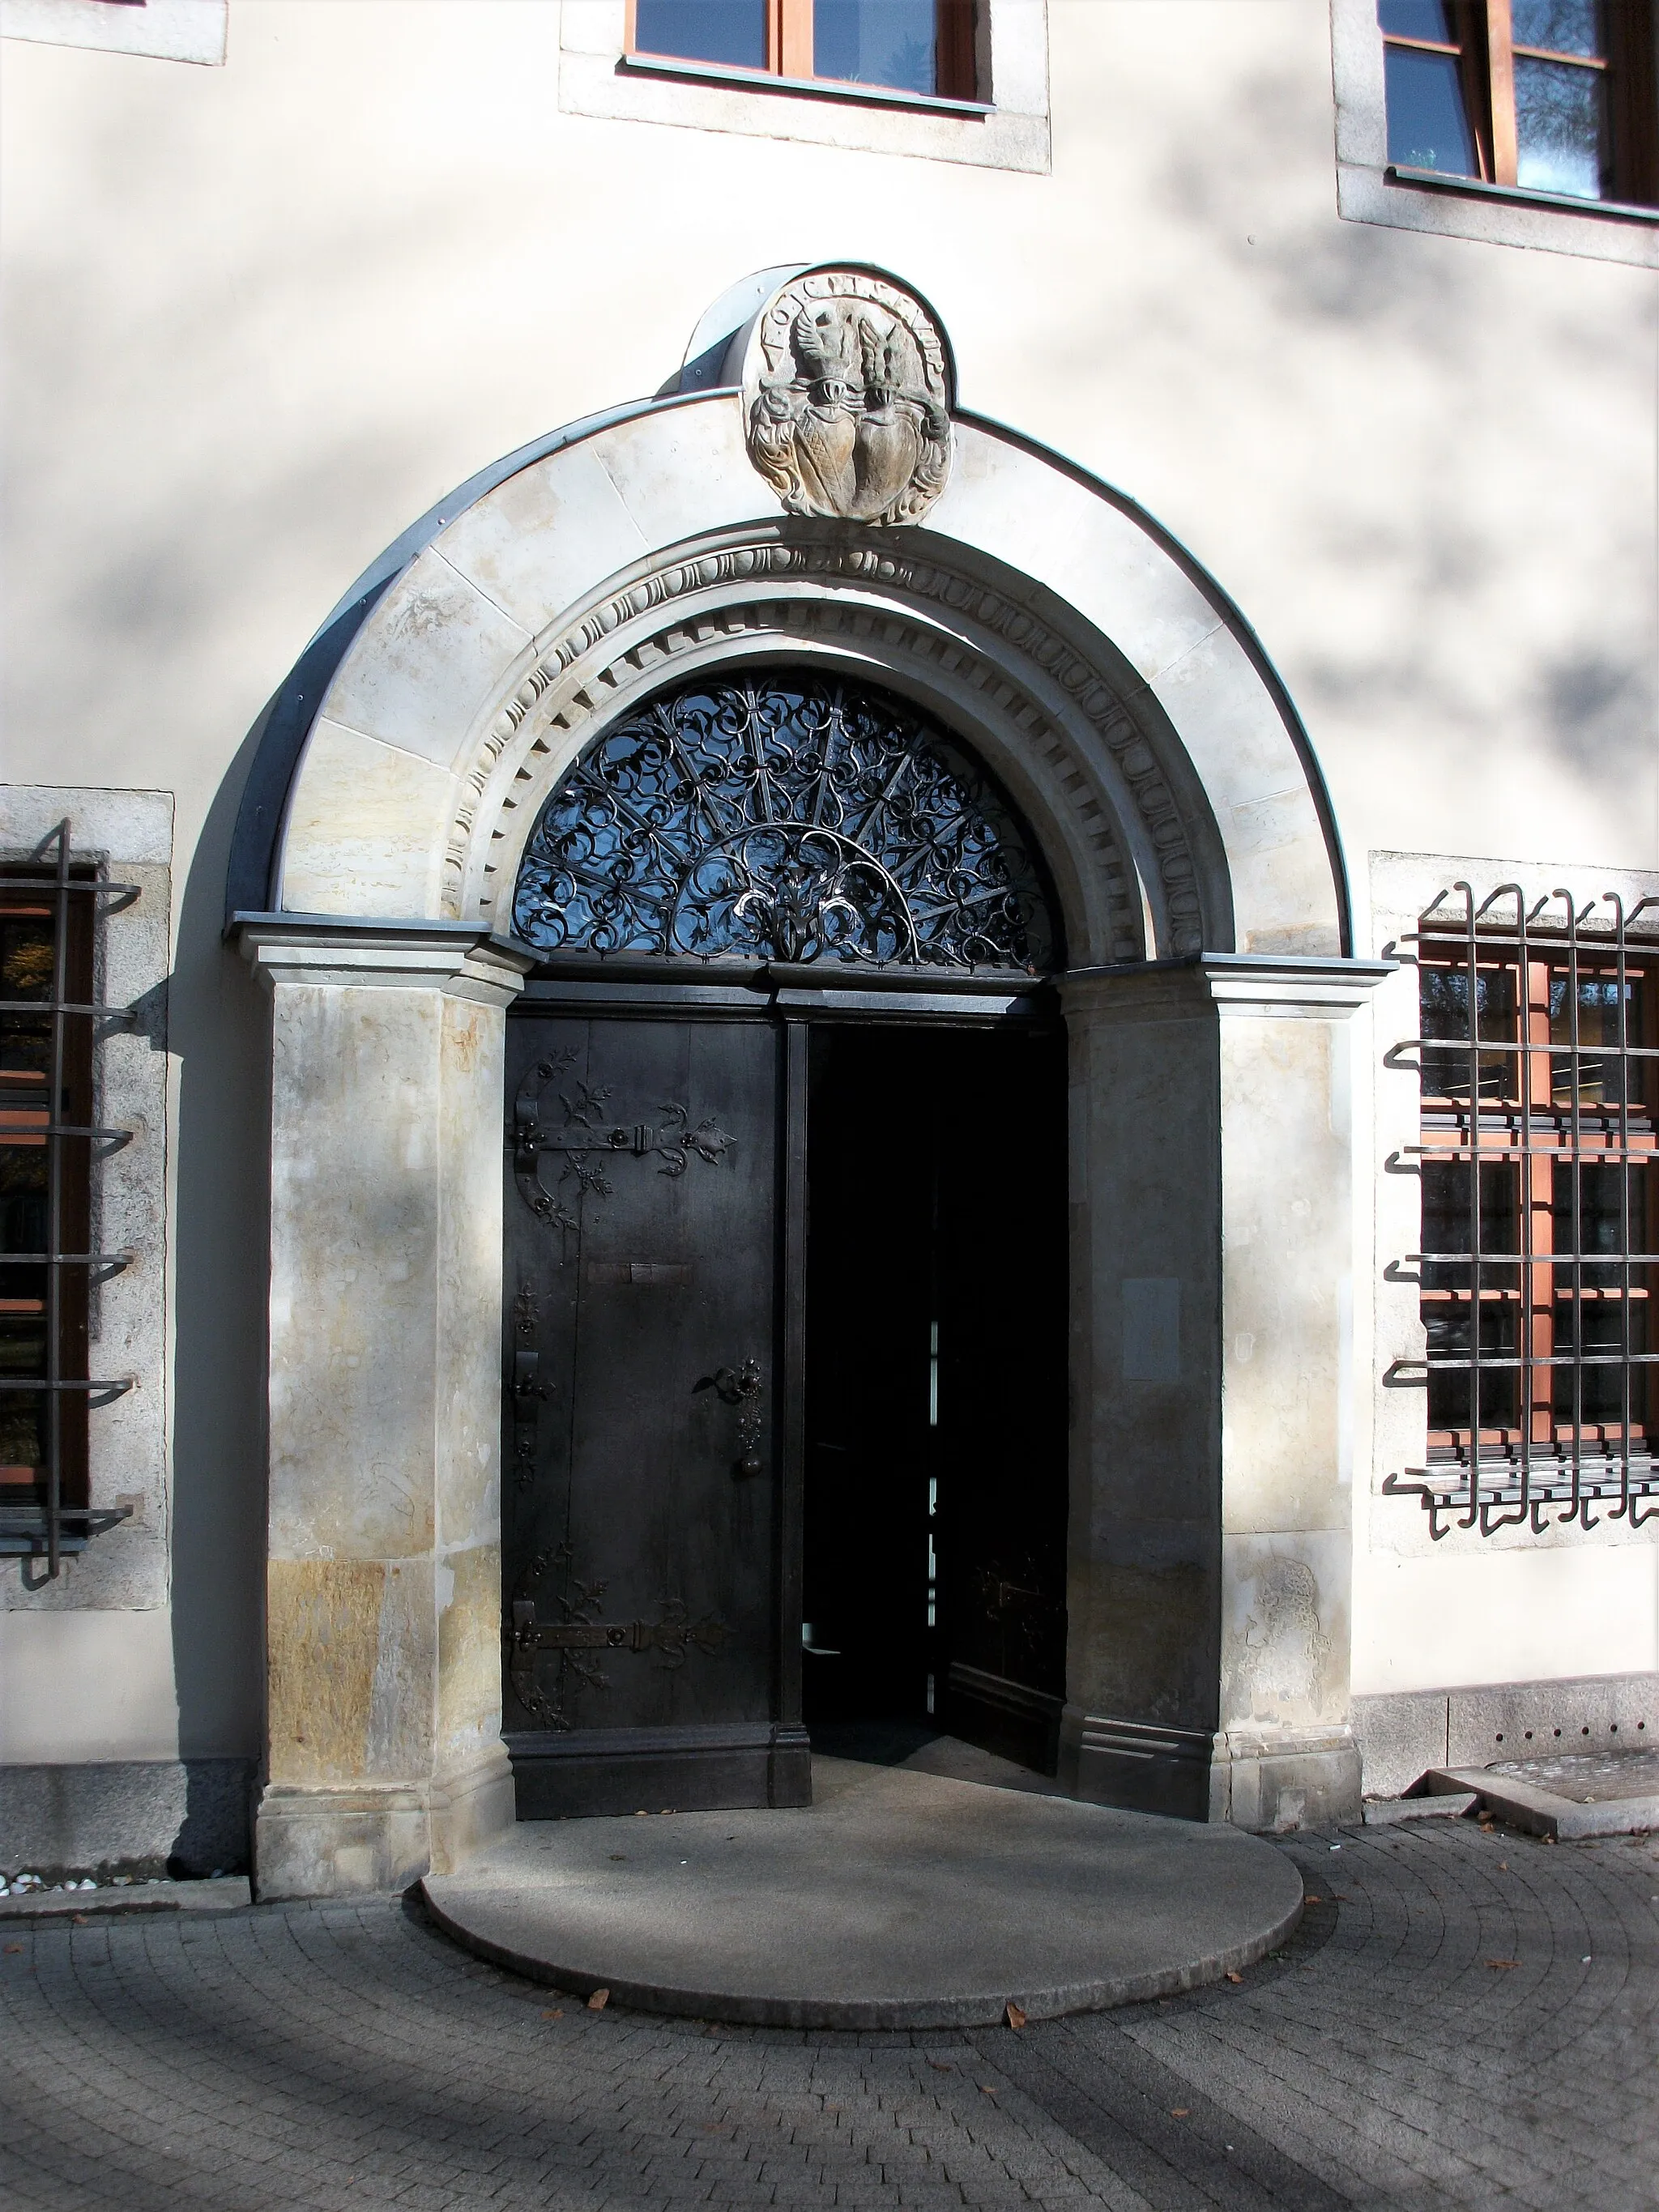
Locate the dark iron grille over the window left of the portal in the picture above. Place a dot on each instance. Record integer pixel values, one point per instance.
(50, 1036)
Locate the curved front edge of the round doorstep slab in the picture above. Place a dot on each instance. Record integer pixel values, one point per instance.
(866, 2014)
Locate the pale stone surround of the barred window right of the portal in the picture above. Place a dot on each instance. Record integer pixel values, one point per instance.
(1401, 886)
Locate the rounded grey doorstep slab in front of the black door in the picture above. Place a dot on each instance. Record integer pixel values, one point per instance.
(897, 1901)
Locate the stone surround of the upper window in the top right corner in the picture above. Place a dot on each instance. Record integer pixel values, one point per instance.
(1370, 191)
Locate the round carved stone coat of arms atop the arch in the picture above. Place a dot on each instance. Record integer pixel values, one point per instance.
(846, 399)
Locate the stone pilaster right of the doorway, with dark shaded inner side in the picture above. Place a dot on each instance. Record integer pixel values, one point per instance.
(1211, 1534)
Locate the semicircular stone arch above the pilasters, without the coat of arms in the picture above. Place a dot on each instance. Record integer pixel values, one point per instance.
(1094, 665)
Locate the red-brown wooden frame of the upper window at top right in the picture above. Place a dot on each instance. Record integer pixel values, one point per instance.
(1485, 50)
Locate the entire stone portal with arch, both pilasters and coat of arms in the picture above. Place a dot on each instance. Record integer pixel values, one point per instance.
(1129, 713)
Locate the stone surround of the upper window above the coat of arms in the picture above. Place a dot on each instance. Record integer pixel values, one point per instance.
(601, 79)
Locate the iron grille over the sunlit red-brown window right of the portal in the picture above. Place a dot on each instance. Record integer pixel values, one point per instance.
(1538, 1063)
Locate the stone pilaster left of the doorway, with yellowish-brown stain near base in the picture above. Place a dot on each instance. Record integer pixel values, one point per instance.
(384, 1561)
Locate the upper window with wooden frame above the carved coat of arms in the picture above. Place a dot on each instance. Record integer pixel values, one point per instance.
(921, 48)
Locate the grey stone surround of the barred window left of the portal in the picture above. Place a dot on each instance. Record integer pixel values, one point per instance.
(132, 835)
